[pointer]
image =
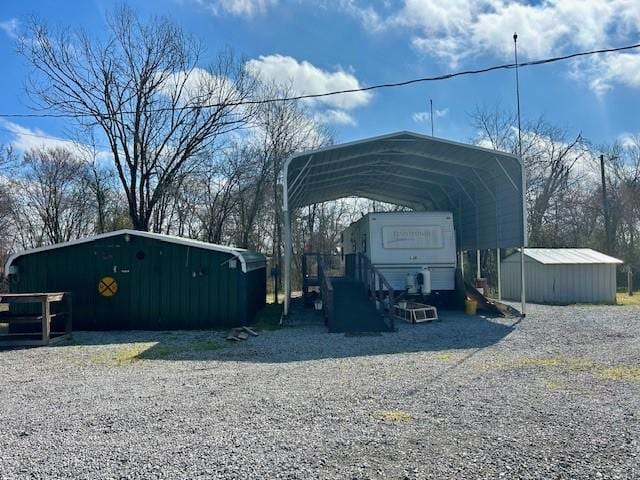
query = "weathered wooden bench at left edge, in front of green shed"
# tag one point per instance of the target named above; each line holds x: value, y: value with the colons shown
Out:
x: 44, y: 335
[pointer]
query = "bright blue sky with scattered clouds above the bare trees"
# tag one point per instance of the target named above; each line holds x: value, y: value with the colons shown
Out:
x: 331, y: 44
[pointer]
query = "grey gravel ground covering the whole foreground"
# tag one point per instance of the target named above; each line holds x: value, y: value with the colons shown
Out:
x: 556, y: 395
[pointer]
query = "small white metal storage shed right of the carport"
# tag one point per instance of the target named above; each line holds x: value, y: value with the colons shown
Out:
x: 561, y: 276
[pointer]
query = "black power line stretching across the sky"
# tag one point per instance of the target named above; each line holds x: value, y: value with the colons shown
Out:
x: 310, y: 96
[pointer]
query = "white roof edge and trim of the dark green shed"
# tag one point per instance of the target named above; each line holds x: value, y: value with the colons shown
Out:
x: 248, y: 260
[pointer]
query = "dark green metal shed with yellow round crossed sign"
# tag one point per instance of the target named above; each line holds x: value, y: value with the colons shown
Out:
x: 139, y: 280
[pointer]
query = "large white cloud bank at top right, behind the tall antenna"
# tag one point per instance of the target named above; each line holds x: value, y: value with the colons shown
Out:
x: 455, y: 30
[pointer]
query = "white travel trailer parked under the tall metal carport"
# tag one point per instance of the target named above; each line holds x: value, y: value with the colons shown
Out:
x: 404, y: 244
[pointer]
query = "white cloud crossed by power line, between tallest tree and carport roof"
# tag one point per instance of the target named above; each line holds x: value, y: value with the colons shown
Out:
x: 306, y: 78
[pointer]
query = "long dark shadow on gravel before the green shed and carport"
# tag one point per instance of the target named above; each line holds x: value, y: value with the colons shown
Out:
x: 304, y: 339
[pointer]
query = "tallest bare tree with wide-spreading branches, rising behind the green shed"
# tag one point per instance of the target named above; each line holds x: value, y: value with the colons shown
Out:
x: 143, y: 90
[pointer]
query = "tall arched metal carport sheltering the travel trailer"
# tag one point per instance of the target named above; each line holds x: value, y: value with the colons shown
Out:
x: 483, y: 188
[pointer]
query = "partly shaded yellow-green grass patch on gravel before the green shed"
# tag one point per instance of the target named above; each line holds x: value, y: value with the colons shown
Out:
x: 134, y: 352
